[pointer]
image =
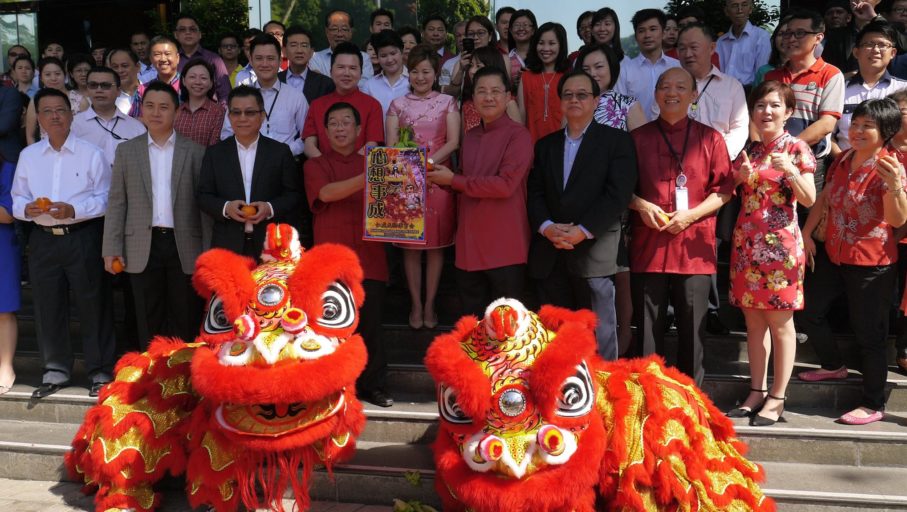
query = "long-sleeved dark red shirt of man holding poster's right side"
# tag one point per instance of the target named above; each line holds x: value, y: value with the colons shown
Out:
x: 492, y: 204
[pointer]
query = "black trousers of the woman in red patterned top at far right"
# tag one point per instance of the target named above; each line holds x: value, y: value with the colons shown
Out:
x: 869, y: 293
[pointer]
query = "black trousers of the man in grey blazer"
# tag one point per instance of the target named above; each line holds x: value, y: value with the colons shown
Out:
x: 165, y: 302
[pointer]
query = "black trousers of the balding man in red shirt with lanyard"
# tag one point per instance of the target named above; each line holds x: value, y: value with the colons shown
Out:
x: 689, y: 293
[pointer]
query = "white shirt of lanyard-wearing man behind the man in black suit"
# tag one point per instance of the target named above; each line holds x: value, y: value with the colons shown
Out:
x: 285, y: 111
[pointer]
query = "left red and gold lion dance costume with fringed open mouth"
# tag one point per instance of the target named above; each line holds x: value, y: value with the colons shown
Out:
x: 265, y: 391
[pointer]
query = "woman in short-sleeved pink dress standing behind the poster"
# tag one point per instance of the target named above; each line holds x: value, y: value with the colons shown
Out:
x: 435, y: 121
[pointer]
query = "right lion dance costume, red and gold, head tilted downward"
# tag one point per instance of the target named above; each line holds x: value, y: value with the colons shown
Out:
x: 533, y: 420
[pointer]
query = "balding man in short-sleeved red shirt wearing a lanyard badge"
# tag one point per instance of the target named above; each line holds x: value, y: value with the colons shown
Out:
x: 684, y: 177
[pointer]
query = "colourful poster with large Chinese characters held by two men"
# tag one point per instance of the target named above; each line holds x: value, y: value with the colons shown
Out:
x: 395, y: 195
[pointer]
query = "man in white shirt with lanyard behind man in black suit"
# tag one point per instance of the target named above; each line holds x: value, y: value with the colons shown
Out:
x: 285, y: 106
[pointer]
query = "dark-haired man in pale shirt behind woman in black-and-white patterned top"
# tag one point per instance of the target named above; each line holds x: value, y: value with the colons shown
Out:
x: 639, y: 74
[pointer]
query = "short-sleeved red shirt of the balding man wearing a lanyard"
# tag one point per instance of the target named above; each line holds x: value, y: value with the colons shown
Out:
x: 708, y: 170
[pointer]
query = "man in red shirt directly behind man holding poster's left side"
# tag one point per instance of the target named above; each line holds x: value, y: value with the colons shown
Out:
x: 346, y: 70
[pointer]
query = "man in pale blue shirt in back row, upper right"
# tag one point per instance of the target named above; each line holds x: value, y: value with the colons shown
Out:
x: 744, y: 48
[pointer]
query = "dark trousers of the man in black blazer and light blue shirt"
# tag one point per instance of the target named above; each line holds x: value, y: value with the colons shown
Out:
x: 594, y: 293
